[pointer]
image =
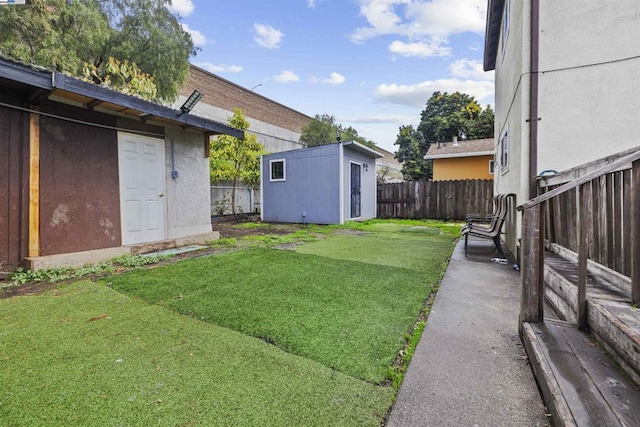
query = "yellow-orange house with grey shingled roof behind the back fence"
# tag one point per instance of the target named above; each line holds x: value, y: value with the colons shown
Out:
x: 455, y: 160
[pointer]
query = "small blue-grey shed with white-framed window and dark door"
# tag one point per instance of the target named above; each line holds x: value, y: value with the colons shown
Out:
x: 327, y: 184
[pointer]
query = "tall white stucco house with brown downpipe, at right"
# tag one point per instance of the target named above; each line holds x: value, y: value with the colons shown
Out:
x: 567, y: 87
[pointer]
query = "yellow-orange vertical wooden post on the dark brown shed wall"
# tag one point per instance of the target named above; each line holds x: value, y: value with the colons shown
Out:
x: 34, y: 184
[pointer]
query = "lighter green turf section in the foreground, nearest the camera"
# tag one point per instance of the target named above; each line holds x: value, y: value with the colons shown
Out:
x: 144, y: 365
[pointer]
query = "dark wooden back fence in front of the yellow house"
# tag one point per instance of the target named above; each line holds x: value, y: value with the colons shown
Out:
x: 448, y: 200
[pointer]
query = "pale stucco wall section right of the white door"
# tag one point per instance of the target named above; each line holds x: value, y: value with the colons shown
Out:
x: 188, y: 195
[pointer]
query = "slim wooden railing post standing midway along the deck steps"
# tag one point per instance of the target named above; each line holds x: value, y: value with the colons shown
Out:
x: 585, y: 237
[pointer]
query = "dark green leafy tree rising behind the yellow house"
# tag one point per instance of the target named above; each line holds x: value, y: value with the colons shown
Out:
x: 445, y: 116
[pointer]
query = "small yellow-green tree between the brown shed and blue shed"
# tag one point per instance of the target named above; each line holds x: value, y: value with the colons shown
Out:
x: 236, y: 159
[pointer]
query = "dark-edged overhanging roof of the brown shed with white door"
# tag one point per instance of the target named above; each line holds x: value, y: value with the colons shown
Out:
x: 39, y: 83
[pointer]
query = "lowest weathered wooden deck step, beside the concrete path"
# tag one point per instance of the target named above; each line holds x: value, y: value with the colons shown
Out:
x: 579, y: 383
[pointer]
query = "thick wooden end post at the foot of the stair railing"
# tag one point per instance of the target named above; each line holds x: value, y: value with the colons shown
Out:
x: 532, y: 300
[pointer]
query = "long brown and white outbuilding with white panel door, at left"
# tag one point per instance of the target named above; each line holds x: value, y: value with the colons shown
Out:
x: 87, y: 173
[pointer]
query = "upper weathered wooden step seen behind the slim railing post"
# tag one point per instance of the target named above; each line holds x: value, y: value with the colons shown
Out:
x: 611, y: 319
